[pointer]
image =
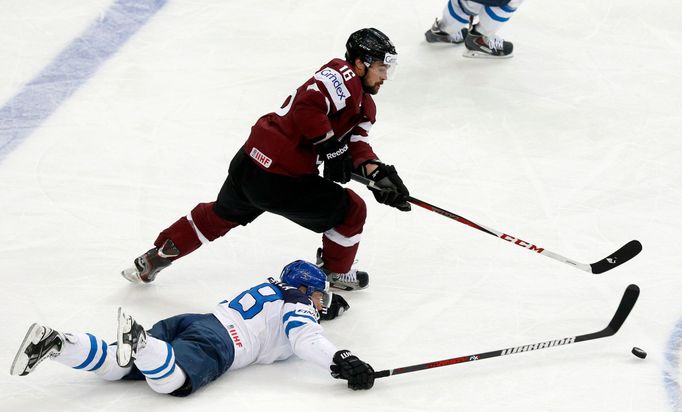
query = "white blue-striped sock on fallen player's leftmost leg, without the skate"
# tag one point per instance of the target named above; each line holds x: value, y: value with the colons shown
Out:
x: 86, y: 352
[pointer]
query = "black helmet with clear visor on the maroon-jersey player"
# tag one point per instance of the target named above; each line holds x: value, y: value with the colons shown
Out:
x: 370, y: 45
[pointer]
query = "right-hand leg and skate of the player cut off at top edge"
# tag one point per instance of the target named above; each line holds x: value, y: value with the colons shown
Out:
x: 482, y: 40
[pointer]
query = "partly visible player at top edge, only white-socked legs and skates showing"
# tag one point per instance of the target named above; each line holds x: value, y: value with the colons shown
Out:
x: 481, y: 39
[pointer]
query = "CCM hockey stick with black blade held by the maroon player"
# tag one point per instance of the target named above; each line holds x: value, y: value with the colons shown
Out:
x: 617, y: 258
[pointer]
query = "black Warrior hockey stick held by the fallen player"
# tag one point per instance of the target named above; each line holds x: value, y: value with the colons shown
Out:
x: 624, y: 308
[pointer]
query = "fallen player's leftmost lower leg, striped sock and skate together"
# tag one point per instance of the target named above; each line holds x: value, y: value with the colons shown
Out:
x: 81, y: 351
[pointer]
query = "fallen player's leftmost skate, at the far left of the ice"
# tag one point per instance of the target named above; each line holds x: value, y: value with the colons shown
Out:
x: 40, y: 343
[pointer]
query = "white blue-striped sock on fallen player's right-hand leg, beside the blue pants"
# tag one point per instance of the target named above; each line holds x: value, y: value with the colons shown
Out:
x: 156, y: 361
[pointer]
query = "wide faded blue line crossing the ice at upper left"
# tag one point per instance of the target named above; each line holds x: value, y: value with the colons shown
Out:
x: 79, y: 61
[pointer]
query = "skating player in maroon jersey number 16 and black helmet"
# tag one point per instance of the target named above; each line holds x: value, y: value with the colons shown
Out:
x: 325, y: 120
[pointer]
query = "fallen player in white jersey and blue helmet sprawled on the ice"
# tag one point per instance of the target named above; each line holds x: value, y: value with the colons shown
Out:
x: 269, y: 322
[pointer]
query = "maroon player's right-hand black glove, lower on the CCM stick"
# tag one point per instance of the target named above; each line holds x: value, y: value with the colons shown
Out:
x: 391, y: 189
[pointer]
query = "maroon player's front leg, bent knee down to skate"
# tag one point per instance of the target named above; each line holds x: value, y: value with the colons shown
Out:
x: 340, y: 245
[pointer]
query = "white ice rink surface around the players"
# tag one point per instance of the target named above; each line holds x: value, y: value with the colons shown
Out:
x: 119, y: 116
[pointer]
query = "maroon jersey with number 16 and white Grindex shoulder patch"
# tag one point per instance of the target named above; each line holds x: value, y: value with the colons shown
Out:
x: 331, y: 100
